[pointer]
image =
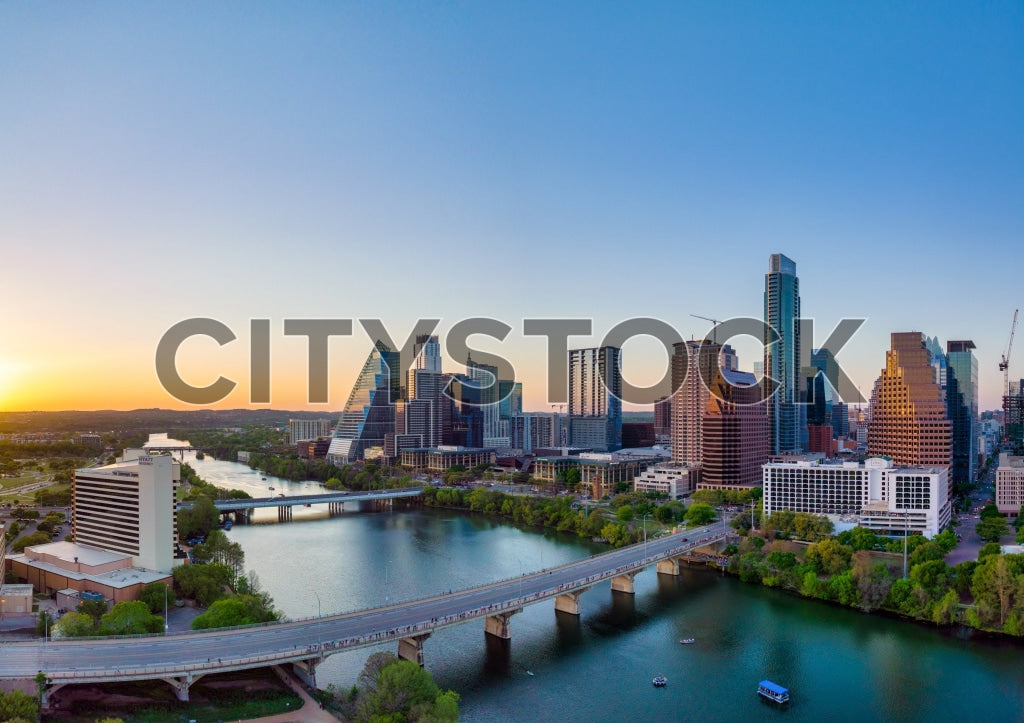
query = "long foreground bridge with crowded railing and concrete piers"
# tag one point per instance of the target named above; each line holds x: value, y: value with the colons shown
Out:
x: 183, y: 659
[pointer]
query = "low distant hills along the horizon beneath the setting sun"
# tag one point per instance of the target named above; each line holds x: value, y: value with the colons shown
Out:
x: 150, y: 420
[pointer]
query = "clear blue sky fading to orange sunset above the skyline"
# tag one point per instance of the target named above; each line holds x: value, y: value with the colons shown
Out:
x: 161, y: 162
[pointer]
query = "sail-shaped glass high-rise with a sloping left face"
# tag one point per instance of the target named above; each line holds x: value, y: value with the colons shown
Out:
x: 370, y: 413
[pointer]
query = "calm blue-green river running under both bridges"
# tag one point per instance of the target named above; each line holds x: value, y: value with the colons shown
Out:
x: 839, y: 664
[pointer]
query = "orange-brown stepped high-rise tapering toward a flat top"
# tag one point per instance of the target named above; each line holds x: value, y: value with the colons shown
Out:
x: 909, y: 422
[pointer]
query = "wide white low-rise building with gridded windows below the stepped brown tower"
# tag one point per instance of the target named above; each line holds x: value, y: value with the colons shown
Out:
x: 881, y: 497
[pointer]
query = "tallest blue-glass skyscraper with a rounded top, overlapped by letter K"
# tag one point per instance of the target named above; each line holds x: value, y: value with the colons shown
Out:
x: 783, y: 357
